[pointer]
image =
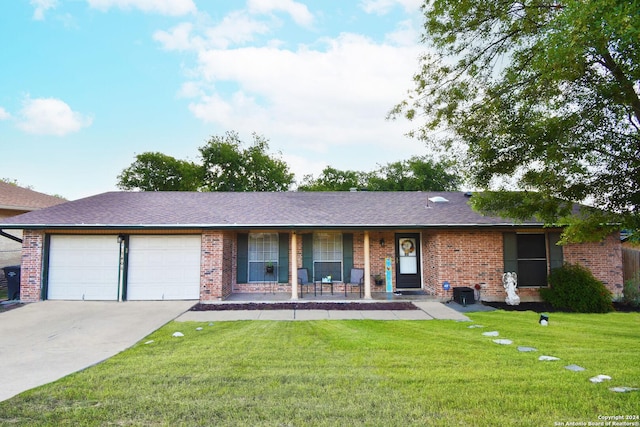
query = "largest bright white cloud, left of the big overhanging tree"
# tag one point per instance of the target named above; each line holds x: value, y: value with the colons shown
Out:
x: 319, y: 99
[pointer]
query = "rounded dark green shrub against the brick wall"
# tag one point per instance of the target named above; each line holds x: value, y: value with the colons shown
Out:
x: 574, y: 288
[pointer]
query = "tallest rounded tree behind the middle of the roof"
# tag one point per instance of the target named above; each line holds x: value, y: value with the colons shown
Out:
x: 229, y: 167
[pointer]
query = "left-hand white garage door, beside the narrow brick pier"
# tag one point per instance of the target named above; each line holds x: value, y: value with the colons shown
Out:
x: 83, y: 268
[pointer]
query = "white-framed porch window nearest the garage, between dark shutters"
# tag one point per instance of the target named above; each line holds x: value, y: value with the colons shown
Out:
x: 263, y: 257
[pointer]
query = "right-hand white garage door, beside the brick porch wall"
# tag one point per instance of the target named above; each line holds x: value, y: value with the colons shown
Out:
x: 163, y: 268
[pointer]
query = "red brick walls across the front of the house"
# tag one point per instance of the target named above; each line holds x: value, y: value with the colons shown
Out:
x: 464, y: 258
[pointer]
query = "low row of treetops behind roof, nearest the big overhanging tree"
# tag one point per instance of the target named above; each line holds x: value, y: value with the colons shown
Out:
x: 415, y: 174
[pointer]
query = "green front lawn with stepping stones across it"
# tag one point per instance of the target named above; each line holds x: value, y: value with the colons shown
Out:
x: 344, y: 373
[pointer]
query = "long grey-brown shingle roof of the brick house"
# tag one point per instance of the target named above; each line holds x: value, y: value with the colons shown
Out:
x: 261, y: 210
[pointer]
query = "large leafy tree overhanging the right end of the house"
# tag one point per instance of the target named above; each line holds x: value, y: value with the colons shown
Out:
x: 543, y: 94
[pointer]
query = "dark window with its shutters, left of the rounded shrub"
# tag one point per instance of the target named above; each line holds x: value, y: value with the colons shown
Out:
x: 531, y: 255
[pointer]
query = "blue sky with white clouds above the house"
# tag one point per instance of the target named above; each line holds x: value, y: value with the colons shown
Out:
x: 86, y: 85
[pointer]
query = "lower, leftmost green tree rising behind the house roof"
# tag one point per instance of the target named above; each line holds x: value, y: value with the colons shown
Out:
x: 153, y: 171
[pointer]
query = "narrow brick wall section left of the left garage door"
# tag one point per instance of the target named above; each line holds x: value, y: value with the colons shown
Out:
x: 31, y: 265
